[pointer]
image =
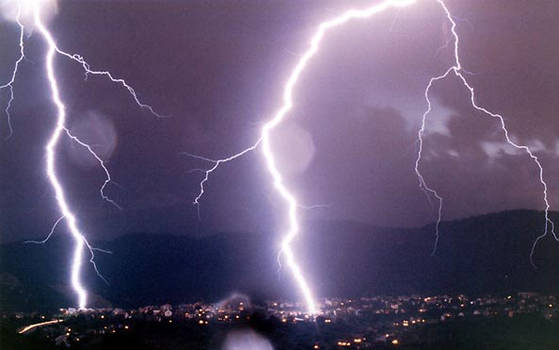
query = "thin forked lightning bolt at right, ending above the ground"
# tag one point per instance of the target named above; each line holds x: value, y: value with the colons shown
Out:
x: 457, y: 70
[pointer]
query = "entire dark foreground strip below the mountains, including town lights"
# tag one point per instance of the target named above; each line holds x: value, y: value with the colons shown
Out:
x: 523, y: 321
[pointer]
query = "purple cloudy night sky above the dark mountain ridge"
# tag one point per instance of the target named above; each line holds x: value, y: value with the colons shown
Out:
x: 217, y: 70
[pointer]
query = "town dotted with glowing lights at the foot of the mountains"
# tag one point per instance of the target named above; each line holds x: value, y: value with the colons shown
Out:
x: 362, y: 323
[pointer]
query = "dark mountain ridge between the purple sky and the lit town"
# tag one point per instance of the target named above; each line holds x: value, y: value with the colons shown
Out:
x: 478, y: 255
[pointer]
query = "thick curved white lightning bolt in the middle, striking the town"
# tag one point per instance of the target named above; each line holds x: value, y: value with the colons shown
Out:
x: 279, y: 116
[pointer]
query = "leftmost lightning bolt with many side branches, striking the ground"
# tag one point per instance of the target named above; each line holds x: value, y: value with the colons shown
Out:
x: 60, y: 130
